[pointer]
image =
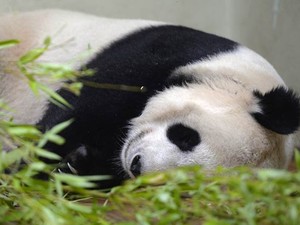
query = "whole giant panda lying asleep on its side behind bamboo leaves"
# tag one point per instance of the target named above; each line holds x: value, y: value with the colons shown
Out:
x: 204, y: 99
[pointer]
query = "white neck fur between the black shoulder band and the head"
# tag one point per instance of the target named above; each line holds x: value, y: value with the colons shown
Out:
x: 242, y: 65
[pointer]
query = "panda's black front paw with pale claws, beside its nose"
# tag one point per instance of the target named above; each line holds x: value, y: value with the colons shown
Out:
x: 97, y: 155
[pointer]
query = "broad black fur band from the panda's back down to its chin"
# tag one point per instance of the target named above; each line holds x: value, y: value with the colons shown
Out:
x: 144, y: 58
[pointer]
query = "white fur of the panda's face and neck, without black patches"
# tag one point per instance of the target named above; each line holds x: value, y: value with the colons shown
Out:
x: 219, y: 110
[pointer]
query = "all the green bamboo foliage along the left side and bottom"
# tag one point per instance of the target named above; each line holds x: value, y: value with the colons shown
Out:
x: 181, y: 196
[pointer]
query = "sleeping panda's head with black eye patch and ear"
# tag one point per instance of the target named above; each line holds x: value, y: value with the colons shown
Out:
x: 210, y: 124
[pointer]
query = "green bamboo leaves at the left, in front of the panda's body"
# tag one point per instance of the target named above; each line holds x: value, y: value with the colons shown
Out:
x: 24, y: 199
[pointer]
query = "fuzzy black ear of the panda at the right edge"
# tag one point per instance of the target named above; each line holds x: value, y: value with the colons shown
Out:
x: 280, y: 110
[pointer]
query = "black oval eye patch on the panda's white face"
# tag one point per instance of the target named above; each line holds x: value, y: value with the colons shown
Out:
x: 185, y: 138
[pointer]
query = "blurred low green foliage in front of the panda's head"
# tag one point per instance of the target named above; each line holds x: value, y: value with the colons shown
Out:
x: 228, y: 196
